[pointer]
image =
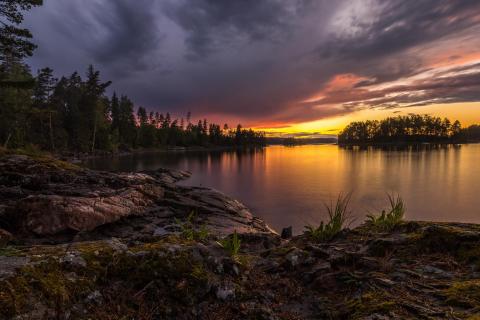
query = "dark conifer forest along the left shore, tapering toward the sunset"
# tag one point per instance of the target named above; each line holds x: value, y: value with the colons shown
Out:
x: 75, y: 114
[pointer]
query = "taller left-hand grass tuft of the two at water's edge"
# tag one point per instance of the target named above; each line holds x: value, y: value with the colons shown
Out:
x: 337, y: 215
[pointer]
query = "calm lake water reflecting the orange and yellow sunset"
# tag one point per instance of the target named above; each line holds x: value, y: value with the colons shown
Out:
x: 289, y: 185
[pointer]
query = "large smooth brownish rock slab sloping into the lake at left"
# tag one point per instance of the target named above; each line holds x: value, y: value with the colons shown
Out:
x: 62, y: 200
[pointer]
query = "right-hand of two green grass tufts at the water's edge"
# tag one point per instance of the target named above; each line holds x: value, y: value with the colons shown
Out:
x: 388, y: 221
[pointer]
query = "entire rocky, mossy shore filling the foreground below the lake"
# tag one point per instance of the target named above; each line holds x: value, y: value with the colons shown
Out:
x: 82, y: 244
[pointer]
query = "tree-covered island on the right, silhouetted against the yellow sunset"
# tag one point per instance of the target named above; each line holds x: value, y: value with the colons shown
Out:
x: 413, y: 128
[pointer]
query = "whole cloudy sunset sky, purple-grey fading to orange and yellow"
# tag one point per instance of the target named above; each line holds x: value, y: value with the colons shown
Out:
x: 289, y: 67
